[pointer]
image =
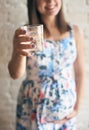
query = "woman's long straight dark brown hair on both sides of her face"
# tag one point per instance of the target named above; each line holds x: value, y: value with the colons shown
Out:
x: 34, y: 17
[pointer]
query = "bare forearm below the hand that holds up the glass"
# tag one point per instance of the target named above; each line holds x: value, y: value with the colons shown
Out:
x: 17, y: 66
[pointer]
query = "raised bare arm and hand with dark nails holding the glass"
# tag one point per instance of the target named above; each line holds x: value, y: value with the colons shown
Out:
x: 17, y: 64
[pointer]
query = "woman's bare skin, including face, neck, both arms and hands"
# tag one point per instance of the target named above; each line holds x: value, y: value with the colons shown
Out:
x: 17, y: 65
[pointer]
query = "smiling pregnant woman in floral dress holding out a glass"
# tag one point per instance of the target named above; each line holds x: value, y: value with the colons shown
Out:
x: 51, y: 94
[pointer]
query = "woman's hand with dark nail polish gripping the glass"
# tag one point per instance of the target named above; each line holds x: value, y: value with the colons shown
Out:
x: 23, y: 43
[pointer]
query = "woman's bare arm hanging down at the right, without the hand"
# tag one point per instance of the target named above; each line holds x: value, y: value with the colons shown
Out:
x: 79, y: 67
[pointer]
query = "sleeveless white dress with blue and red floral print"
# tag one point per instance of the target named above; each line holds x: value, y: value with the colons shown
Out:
x: 49, y: 91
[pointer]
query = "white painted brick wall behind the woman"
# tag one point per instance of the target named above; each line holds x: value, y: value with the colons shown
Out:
x: 13, y: 14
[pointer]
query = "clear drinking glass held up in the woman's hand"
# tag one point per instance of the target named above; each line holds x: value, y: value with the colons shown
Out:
x: 36, y: 32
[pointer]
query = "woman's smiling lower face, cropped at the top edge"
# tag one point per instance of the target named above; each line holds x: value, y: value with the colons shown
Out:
x: 48, y: 7
